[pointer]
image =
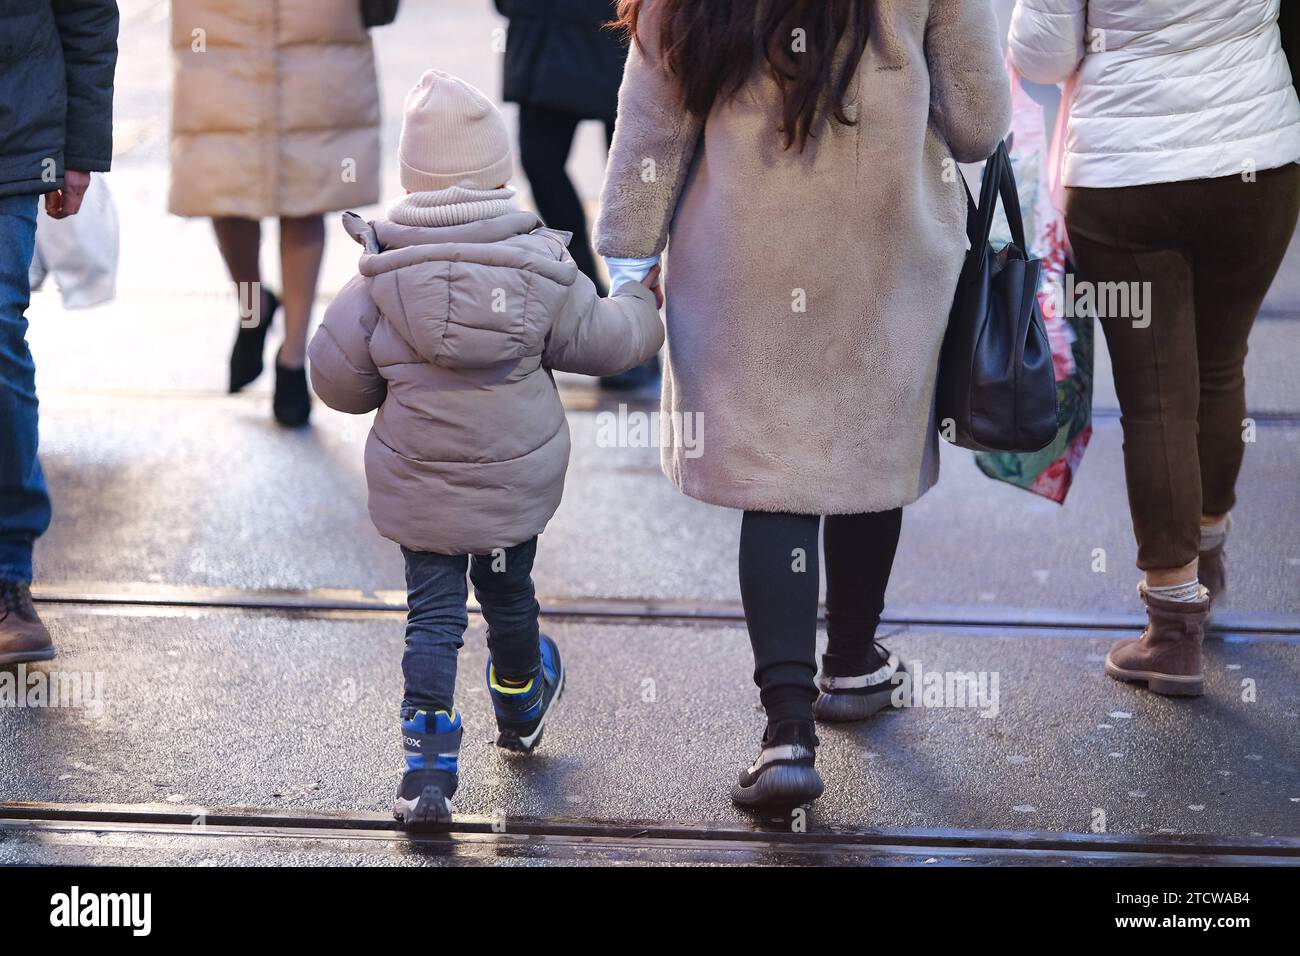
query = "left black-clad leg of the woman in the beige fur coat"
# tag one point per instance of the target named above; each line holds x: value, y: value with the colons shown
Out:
x: 779, y: 589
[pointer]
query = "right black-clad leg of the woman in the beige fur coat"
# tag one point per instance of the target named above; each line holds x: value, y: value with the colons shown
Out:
x: 860, y: 552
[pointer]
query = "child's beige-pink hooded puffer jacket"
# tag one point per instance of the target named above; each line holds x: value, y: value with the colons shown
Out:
x: 450, y: 332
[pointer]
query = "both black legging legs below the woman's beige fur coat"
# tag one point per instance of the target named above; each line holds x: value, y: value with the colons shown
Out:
x: 779, y: 586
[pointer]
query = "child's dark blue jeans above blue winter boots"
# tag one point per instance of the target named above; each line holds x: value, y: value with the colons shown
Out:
x: 437, y: 620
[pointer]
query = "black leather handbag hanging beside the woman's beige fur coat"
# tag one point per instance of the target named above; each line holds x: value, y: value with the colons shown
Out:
x: 996, y: 388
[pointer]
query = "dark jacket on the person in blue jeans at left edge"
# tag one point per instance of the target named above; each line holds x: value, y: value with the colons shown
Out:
x: 57, y: 92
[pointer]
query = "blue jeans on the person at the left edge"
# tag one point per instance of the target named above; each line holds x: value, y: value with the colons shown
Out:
x: 24, y: 499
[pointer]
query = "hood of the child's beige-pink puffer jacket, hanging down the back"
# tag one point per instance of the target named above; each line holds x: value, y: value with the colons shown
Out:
x: 467, y: 296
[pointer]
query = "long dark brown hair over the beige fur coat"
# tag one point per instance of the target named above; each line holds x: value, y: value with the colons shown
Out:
x: 712, y: 49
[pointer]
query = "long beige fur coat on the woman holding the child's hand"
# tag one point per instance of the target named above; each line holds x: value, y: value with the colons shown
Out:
x: 808, y: 295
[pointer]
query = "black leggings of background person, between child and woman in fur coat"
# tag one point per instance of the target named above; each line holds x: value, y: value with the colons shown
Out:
x: 545, y: 141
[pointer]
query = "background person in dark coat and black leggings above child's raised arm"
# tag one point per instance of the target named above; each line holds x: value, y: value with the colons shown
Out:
x: 565, y: 66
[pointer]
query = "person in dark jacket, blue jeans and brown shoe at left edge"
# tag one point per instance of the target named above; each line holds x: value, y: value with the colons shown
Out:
x: 57, y: 128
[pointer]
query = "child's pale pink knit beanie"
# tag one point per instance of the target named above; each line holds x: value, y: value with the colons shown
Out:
x: 453, y: 136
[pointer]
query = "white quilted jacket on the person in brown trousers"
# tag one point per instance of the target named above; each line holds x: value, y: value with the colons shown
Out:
x: 1168, y: 90
